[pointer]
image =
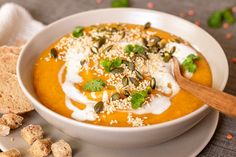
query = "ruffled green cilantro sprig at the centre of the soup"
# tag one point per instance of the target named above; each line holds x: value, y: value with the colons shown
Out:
x: 108, y: 65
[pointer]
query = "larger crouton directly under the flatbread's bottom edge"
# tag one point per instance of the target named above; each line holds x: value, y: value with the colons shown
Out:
x: 12, y: 120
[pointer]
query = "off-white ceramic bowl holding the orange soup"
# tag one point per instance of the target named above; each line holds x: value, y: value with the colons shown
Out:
x: 114, y: 136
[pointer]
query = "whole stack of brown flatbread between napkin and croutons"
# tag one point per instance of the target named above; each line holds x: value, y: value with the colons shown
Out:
x: 12, y: 100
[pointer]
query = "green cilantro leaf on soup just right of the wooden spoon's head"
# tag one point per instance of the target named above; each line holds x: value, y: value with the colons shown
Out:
x: 189, y: 63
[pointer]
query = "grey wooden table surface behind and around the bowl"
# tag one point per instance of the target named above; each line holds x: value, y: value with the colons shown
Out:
x: 48, y: 11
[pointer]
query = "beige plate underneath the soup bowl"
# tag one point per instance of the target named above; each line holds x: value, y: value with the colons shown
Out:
x: 188, y: 144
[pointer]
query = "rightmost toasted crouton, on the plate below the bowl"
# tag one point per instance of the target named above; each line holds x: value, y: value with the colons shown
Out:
x: 61, y: 149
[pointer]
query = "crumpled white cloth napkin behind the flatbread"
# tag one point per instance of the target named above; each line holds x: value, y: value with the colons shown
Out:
x: 16, y: 25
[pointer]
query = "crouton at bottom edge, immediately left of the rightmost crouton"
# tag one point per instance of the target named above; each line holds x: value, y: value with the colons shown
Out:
x: 40, y: 148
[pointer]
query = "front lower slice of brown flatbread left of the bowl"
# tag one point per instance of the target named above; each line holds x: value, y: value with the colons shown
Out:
x: 12, y: 100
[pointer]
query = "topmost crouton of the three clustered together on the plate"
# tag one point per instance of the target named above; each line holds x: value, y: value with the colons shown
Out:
x: 32, y: 133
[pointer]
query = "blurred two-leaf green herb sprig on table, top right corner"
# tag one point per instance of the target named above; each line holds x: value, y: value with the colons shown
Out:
x: 218, y: 17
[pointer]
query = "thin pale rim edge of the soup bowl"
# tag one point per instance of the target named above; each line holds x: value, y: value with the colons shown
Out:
x: 71, y: 121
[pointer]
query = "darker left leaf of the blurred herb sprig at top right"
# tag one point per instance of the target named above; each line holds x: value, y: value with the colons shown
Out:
x: 216, y: 19
